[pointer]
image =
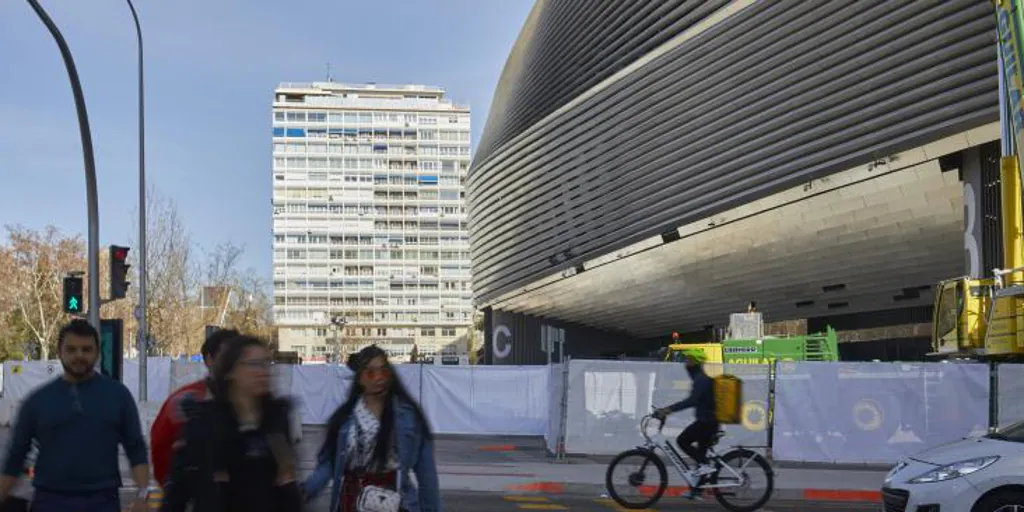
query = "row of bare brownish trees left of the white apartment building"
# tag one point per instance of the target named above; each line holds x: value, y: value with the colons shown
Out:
x: 32, y: 266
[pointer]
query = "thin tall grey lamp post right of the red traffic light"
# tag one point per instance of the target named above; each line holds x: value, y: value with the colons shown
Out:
x: 142, y: 338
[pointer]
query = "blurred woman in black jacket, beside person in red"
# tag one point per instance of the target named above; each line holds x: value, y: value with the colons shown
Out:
x: 237, y: 456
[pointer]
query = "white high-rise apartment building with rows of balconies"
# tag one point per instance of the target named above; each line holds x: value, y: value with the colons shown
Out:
x: 370, y: 220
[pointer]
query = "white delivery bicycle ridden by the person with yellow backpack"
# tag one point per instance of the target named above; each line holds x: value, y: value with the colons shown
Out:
x: 721, y: 483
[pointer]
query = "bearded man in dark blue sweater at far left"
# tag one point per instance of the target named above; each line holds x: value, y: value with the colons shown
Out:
x: 78, y: 421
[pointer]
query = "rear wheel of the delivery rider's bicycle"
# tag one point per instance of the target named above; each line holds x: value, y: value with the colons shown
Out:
x: 746, y: 496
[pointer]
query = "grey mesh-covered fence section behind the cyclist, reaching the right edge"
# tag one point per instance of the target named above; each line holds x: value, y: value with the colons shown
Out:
x: 808, y: 412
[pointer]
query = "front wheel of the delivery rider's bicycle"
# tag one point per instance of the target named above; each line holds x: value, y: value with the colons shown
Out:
x: 637, y: 463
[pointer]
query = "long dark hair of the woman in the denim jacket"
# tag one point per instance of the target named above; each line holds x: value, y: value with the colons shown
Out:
x: 345, y: 412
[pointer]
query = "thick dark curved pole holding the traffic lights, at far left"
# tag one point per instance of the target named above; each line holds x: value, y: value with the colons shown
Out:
x: 91, y: 163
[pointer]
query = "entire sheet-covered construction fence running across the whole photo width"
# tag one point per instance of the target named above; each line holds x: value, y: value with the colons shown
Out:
x: 812, y: 412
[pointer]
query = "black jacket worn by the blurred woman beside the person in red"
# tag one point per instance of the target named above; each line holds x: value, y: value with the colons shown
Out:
x: 217, y: 450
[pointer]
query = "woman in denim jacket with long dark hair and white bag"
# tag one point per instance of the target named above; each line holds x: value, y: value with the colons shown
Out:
x: 375, y: 439
